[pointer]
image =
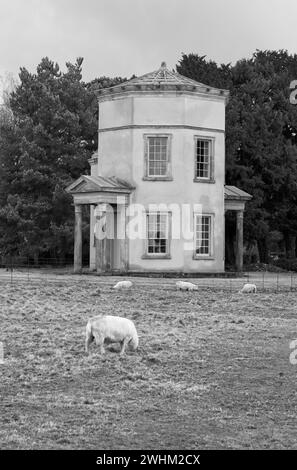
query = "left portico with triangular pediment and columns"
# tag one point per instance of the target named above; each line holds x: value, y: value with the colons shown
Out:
x: 108, y: 199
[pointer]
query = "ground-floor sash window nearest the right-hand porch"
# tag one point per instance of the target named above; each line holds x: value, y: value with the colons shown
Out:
x: 203, y: 235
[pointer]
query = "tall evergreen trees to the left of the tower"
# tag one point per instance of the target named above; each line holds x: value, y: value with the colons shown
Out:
x: 43, y: 147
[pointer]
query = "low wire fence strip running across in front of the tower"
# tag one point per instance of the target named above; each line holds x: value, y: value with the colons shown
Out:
x: 51, y: 269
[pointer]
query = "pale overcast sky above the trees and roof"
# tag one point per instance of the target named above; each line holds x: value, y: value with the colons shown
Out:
x: 122, y: 37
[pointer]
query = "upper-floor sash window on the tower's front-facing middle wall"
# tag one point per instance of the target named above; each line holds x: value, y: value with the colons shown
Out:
x: 157, y: 157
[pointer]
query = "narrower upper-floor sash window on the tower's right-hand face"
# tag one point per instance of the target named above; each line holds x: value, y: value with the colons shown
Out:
x: 204, y: 158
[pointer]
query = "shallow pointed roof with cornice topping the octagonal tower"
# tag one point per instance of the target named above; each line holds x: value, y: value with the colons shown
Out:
x: 162, y: 80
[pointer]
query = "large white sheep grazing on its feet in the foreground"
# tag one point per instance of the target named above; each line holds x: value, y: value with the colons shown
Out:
x: 111, y: 329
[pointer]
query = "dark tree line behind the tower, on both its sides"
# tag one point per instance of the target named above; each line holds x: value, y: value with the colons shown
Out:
x: 48, y: 131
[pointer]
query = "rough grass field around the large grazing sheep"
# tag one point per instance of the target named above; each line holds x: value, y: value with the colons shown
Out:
x: 212, y: 369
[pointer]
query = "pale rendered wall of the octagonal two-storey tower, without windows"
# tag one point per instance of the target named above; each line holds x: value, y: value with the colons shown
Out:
x: 122, y: 125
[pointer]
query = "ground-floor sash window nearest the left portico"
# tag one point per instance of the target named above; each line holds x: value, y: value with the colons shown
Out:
x: 157, y: 234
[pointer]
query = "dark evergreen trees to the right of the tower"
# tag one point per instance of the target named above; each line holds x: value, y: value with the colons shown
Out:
x: 261, y: 138
